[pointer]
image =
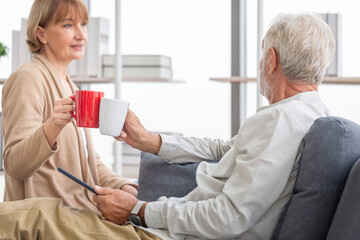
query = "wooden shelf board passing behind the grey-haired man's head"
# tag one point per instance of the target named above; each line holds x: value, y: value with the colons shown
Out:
x: 327, y: 80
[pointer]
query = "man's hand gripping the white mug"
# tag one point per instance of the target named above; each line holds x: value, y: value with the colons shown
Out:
x: 135, y: 135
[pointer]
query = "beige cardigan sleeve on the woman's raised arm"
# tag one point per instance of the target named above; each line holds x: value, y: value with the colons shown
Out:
x: 27, y: 146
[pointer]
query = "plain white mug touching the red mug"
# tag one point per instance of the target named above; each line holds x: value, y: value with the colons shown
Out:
x: 112, y: 116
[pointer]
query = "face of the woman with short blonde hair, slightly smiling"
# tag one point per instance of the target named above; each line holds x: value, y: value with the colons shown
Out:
x: 65, y: 40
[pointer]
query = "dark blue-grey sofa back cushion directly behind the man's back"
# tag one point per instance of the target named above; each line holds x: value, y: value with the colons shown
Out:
x: 330, y: 150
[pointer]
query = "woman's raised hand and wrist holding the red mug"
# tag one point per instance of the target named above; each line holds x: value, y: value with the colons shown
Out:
x: 58, y: 119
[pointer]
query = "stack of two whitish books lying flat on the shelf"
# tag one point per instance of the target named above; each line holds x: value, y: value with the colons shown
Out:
x: 139, y: 67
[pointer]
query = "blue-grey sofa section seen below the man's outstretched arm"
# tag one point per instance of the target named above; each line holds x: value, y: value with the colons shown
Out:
x: 159, y: 178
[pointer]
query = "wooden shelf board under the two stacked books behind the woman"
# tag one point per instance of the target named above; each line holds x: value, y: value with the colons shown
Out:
x: 89, y: 80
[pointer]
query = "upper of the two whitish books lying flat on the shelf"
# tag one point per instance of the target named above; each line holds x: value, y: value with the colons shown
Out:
x: 139, y: 60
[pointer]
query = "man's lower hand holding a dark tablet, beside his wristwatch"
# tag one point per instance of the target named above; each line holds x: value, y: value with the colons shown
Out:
x: 115, y: 205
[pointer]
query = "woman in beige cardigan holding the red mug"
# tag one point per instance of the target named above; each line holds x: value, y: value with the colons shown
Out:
x: 40, y: 133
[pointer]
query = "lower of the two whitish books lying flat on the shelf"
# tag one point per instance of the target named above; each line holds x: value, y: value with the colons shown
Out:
x: 140, y: 72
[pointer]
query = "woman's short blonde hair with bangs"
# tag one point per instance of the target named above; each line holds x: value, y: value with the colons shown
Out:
x: 44, y: 11
